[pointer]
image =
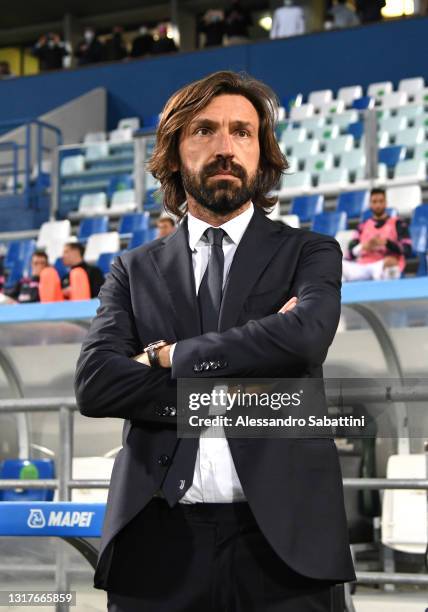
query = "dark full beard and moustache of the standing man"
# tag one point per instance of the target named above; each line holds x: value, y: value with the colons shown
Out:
x: 220, y: 196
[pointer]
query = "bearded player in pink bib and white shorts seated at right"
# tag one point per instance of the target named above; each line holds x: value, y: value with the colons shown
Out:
x: 381, y: 245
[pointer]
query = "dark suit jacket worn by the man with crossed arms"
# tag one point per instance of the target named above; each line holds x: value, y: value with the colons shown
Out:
x: 293, y: 486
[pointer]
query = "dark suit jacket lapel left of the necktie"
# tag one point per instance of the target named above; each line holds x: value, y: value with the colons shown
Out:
x: 173, y: 259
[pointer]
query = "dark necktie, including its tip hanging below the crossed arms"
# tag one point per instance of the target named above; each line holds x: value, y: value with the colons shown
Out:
x: 180, y: 475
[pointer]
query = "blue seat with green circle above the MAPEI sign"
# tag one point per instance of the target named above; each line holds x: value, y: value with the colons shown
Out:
x: 27, y: 469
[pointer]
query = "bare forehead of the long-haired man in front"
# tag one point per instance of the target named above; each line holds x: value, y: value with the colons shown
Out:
x: 233, y: 107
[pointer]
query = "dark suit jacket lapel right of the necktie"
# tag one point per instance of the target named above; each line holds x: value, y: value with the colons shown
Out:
x: 258, y: 245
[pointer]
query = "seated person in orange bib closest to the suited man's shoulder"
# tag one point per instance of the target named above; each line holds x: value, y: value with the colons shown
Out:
x: 84, y: 280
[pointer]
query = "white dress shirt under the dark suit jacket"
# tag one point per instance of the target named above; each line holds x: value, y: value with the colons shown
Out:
x: 215, y: 479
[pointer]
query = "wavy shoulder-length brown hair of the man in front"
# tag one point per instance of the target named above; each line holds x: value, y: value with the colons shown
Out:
x: 181, y: 109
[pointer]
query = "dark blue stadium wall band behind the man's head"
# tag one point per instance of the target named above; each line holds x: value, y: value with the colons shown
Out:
x: 301, y: 64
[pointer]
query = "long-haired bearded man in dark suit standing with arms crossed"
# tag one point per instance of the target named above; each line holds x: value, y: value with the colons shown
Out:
x: 219, y: 524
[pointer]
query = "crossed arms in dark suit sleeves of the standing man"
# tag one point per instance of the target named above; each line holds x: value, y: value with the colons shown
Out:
x: 109, y: 382
